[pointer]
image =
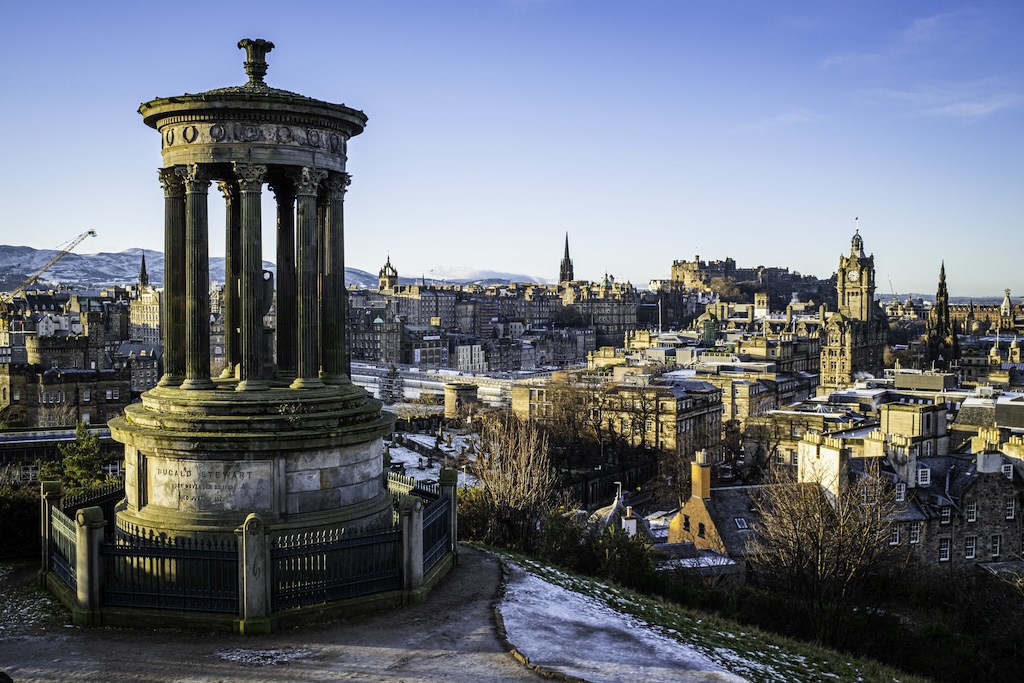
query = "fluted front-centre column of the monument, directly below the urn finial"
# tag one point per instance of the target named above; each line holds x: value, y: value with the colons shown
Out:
x: 251, y: 340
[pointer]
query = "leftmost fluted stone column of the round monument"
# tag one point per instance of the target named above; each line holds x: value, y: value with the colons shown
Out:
x: 175, y: 279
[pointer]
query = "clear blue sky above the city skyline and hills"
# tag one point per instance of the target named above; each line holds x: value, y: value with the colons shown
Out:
x: 648, y: 131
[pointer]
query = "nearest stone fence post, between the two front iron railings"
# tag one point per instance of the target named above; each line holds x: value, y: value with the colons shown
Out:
x: 254, y: 580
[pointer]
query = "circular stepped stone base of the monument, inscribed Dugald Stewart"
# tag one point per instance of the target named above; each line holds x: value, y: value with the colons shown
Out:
x: 199, y: 462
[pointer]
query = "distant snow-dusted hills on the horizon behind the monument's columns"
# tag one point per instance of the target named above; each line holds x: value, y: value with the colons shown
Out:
x: 98, y: 271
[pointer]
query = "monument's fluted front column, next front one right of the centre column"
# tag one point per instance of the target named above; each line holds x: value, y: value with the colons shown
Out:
x: 307, y: 183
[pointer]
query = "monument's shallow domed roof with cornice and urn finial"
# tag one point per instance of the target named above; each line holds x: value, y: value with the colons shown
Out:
x: 253, y: 95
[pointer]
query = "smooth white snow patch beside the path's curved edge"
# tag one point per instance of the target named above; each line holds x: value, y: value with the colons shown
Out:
x: 574, y: 634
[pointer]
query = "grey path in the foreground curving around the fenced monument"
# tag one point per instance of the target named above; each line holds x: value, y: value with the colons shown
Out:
x: 451, y: 638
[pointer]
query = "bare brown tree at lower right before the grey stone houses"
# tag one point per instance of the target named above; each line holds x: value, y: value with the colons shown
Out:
x: 827, y: 550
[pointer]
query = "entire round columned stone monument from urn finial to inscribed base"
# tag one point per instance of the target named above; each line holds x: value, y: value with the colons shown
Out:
x: 284, y: 435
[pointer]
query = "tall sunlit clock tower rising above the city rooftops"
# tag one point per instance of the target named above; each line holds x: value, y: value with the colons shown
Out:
x: 855, y: 338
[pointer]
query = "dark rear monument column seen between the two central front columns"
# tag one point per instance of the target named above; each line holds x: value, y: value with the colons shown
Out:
x: 287, y: 314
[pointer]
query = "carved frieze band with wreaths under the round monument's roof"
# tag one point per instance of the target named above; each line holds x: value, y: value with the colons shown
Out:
x: 273, y: 134
